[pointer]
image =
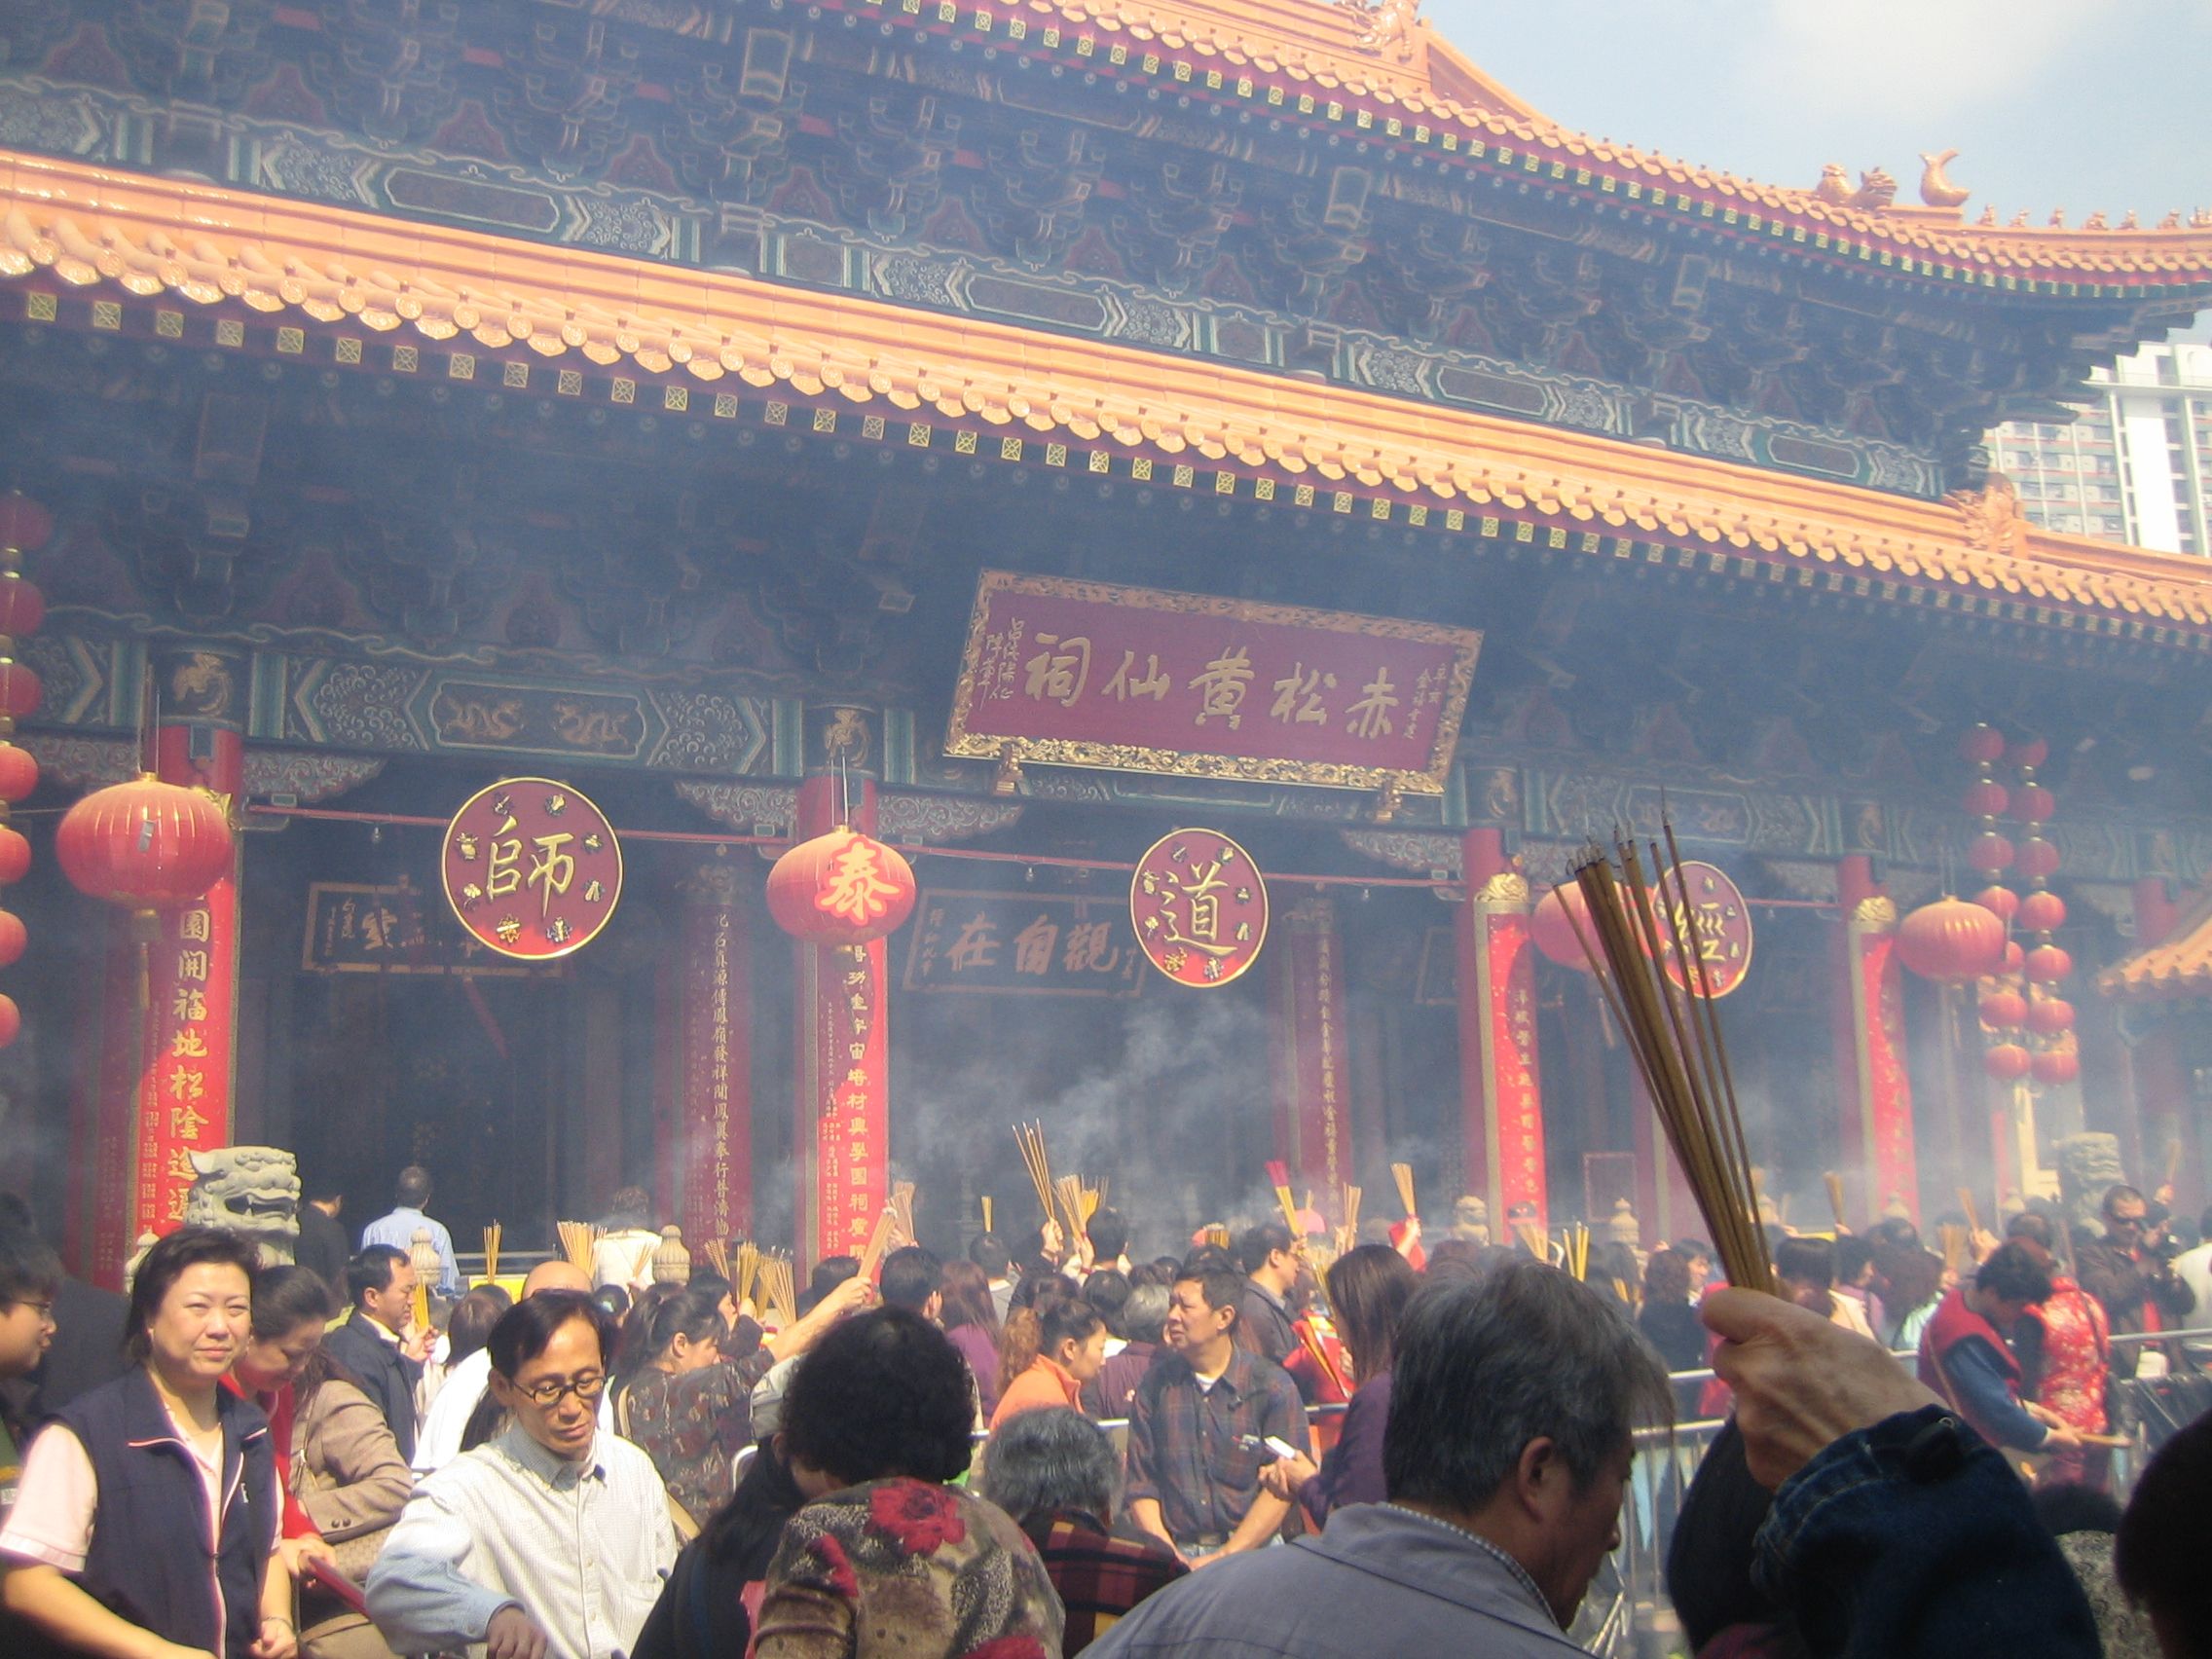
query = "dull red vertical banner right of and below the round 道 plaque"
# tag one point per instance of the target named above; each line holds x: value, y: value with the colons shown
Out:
x: 1313, y: 1076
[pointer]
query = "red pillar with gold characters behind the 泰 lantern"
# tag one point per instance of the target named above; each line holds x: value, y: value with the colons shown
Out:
x: 842, y: 1136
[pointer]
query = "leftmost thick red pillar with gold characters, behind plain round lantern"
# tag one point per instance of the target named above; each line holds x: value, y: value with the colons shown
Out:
x: 169, y: 1008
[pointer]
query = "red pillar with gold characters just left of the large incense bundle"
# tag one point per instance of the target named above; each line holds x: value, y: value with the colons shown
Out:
x: 1501, y: 1092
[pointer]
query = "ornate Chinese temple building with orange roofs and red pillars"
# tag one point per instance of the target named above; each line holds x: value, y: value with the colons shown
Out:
x: 1025, y: 430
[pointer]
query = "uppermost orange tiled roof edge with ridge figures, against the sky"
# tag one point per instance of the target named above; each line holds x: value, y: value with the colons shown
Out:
x: 1355, y: 67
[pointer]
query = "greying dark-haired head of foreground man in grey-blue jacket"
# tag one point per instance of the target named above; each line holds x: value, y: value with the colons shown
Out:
x: 1538, y: 1463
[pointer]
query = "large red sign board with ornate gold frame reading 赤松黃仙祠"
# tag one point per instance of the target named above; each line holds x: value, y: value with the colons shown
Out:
x: 1081, y: 674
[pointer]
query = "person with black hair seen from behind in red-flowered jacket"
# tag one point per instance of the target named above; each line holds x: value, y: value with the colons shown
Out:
x: 890, y: 1563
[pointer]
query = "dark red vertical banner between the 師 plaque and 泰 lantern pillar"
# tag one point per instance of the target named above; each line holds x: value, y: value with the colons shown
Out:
x: 716, y: 1116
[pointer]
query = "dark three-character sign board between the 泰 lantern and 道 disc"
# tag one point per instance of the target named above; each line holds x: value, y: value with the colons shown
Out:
x: 1023, y: 946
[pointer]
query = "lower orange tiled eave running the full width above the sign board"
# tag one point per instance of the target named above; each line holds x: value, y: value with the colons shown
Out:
x: 362, y: 275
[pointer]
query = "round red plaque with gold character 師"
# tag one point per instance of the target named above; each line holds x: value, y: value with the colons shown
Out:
x: 532, y: 868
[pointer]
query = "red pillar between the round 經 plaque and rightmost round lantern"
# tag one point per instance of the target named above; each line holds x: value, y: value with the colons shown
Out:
x: 1875, y: 1089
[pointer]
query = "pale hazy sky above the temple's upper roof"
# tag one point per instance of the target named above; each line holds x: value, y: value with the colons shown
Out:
x: 2052, y: 103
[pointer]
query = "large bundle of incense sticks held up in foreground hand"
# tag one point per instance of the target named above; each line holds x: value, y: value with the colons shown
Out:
x: 1676, y: 1039
